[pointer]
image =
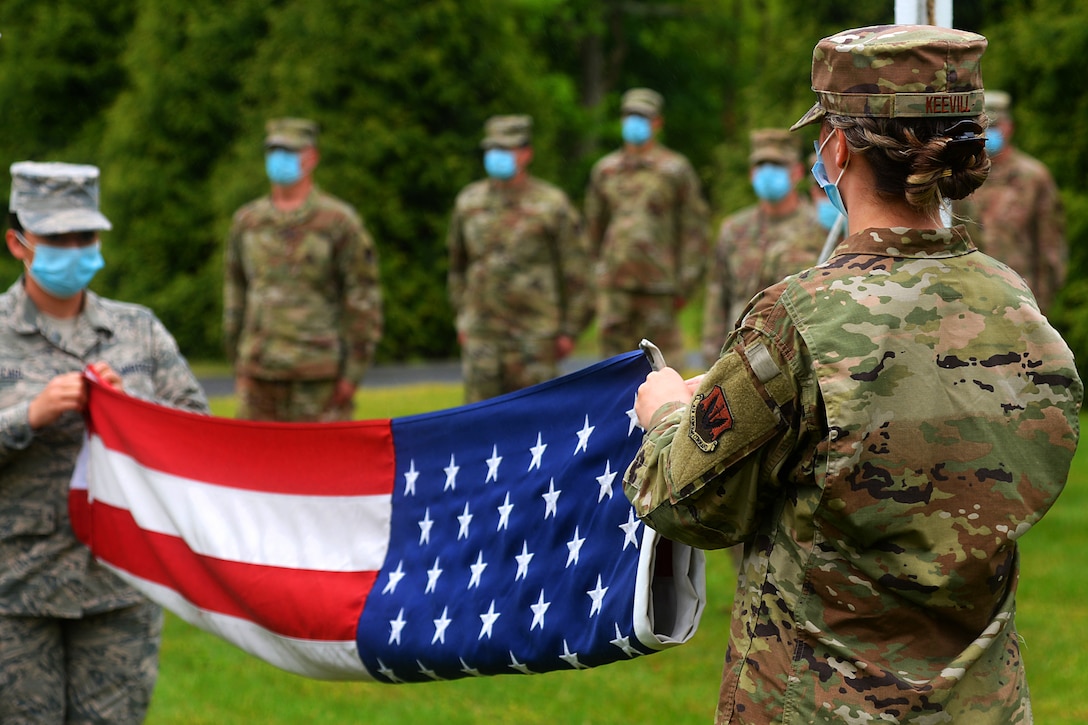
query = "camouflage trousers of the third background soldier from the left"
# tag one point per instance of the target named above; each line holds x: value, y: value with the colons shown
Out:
x: 625, y: 318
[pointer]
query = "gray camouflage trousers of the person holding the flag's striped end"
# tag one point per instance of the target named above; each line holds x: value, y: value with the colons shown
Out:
x: 100, y: 669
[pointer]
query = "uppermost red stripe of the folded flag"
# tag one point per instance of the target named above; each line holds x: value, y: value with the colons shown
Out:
x: 348, y: 459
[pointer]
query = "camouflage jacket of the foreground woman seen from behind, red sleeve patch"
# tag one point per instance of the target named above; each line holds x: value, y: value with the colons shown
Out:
x: 881, y: 432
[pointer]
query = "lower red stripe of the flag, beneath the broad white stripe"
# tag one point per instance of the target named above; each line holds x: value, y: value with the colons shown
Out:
x: 299, y: 604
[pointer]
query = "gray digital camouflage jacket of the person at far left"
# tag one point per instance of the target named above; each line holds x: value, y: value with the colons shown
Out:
x: 46, y: 571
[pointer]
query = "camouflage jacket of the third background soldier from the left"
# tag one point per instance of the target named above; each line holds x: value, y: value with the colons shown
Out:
x: 648, y: 223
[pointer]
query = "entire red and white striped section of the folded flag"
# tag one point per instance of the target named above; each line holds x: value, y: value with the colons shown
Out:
x: 270, y: 537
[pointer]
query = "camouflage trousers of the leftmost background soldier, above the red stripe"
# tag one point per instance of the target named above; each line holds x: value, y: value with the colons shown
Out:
x: 300, y: 401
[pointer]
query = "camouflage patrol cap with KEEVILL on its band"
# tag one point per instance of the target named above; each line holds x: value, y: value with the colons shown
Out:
x: 898, y: 71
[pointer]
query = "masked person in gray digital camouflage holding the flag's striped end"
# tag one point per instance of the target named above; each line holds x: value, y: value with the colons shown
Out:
x: 77, y: 644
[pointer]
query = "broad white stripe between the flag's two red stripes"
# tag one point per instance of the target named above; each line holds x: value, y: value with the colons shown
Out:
x: 329, y: 534
